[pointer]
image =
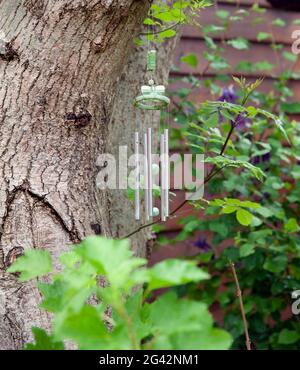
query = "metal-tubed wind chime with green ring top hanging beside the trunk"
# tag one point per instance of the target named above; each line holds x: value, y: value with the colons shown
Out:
x: 152, y: 98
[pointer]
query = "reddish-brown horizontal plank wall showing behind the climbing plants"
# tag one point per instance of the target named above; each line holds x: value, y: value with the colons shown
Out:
x: 192, y: 42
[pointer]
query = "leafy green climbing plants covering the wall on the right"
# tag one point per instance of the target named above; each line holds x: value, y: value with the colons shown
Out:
x: 260, y: 165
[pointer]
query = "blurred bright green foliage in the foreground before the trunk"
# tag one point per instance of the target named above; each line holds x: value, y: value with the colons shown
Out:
x: 98, y: 301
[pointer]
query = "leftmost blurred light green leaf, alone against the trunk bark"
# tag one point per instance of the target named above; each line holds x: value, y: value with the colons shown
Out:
x: 34, y: 263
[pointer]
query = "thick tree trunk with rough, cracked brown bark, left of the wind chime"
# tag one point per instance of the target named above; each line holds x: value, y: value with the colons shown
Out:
x: 59, y: 65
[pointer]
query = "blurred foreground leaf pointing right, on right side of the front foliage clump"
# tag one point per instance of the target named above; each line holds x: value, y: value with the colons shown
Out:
x: 174, y: 272
